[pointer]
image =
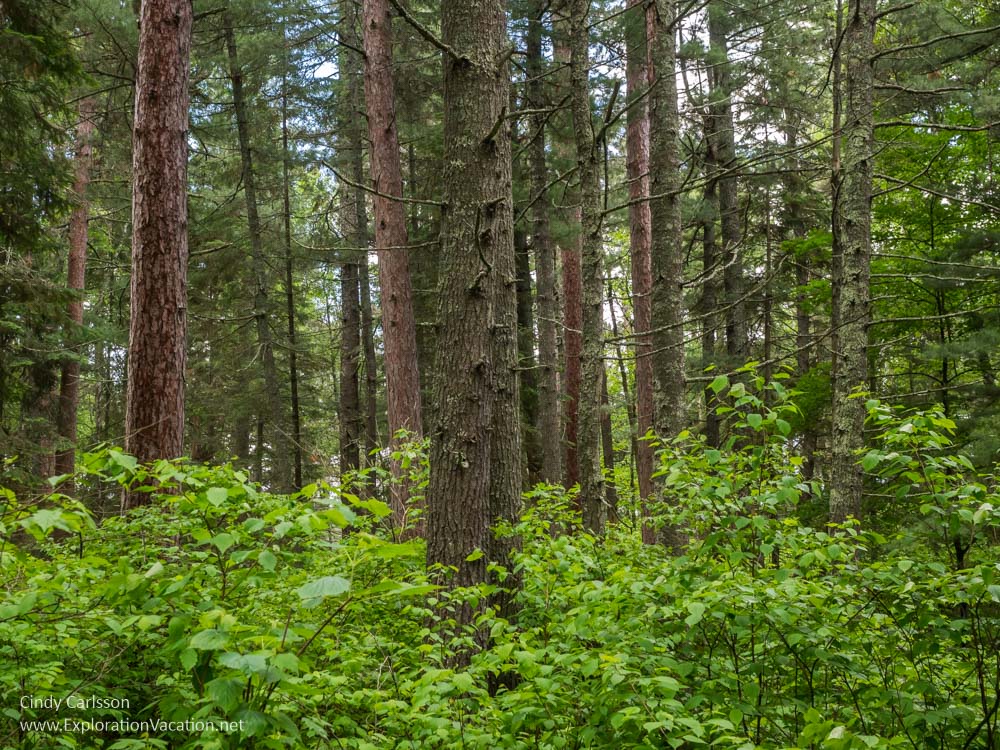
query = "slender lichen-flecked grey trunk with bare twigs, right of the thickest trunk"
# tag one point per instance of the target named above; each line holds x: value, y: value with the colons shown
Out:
x: 592, y: 262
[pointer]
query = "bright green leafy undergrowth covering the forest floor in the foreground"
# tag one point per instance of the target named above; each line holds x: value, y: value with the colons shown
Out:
x: 298, y: 617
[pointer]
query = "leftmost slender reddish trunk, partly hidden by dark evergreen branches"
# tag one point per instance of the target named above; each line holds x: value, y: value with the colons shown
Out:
x: 69, y: 384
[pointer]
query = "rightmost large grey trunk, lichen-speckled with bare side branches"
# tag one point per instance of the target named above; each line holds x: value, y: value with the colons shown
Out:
x: 853, y: 304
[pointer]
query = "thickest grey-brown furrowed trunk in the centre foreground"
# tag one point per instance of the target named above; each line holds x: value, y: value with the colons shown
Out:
x: 476, y: 445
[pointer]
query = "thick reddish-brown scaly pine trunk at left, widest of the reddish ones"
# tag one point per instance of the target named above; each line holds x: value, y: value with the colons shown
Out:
x: 154, y: 421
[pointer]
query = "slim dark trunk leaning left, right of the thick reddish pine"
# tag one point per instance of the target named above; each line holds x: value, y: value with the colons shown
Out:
x: 270, y: 417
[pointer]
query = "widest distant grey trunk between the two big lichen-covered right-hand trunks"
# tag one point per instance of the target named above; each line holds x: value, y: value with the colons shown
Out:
x: 721, y: 109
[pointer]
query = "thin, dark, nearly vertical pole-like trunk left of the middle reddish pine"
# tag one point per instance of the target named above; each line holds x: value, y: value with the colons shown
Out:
x: 293, y: 365
